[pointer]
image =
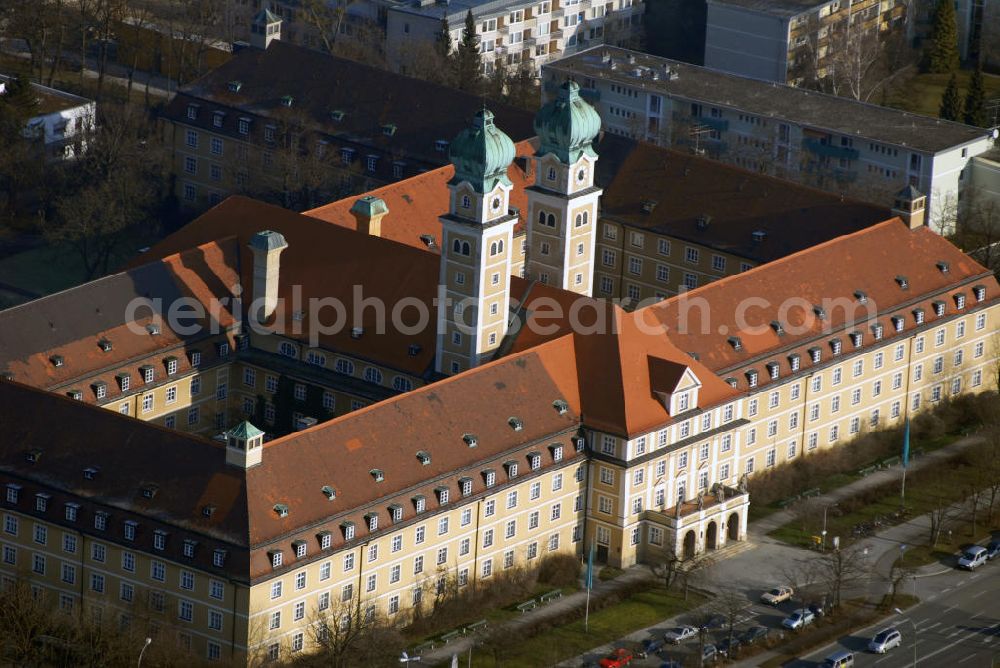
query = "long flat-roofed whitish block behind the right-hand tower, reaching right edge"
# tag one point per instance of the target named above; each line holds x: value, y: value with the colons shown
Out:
x: 829, y: 142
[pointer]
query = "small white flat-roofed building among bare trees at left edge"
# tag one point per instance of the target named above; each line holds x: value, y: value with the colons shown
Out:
x: 62, y: 122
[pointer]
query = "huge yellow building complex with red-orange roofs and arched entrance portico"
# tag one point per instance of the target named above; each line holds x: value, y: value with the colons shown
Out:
x: 585, y: 424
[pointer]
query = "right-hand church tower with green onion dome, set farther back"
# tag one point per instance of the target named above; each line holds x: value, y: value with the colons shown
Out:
x: 563, y: 202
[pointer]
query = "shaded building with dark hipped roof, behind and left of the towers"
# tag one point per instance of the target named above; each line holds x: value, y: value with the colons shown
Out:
x: 299, y: 127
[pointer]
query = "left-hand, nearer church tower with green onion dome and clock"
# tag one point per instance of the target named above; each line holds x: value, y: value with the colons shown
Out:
x: 476, y: 237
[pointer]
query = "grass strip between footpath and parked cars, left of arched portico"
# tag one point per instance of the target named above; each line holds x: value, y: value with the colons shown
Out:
x: 559, y: 643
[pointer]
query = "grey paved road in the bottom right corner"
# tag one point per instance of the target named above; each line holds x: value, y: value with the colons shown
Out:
x: 957, y: 625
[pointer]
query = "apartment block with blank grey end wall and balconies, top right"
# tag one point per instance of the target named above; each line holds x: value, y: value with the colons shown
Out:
x: 791, y: 41
